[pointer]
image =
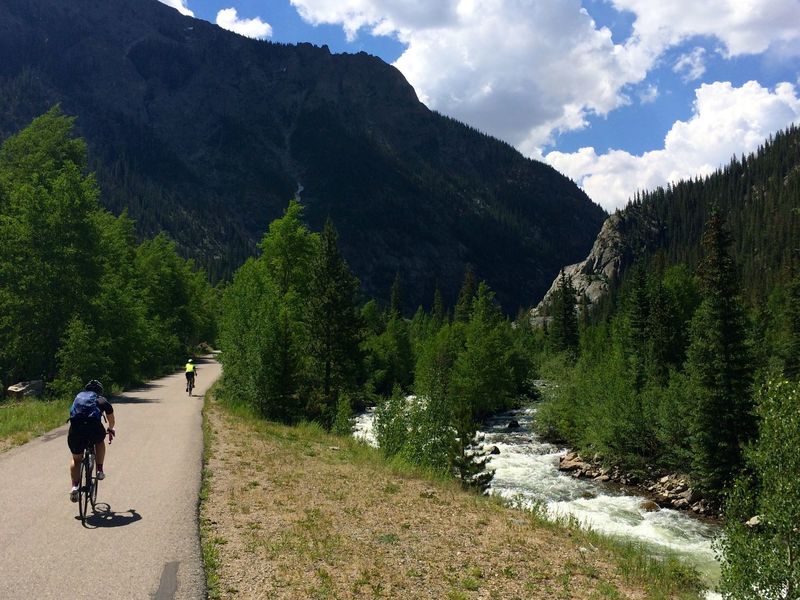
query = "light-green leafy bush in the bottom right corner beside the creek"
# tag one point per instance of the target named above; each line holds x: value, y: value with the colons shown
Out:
x: 762, y: 560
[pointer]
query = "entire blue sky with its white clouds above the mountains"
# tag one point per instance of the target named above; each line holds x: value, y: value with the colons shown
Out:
x: 619, y: 95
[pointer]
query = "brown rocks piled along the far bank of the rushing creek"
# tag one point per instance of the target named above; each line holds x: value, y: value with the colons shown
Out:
x: 666, y: 491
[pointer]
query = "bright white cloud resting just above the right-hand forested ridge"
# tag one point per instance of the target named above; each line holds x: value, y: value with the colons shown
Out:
x: 726, y: 121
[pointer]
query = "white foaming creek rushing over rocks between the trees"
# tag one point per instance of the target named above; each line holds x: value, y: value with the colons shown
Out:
x: 527, y: 475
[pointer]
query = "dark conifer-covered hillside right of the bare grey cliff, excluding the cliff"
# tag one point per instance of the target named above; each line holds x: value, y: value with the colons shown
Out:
x: 759, y: 196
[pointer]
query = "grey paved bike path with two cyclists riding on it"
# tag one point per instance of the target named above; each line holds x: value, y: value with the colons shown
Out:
x: 146, y: 545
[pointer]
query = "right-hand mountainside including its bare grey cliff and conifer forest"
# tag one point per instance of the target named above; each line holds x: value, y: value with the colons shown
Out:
x: 759, y: 196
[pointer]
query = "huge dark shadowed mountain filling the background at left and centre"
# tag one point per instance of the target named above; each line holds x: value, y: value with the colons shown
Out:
x: 207, y: 134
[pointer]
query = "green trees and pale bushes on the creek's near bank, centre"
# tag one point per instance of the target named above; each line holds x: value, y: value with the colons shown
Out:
x: 464, y: 372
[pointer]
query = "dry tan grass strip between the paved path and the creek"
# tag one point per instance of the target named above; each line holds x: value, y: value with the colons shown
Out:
x: 296, y: 513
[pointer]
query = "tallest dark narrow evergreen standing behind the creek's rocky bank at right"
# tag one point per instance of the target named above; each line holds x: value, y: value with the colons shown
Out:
x: 719, y: 365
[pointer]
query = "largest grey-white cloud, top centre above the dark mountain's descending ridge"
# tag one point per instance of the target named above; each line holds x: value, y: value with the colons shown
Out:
x: 517, y: 69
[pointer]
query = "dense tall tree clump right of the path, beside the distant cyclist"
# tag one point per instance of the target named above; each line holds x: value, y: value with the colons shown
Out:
x: 290, y: 328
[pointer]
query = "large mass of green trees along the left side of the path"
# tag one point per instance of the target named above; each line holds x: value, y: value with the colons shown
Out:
x: 79, y: 297
